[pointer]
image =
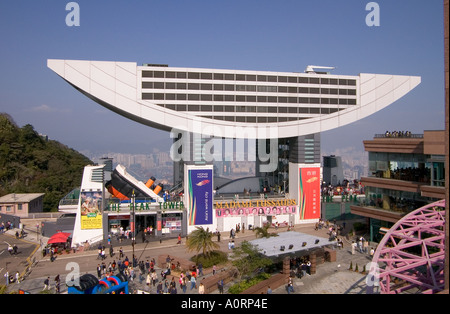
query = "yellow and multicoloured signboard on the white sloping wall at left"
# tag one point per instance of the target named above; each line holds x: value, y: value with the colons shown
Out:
x: 91, y: 213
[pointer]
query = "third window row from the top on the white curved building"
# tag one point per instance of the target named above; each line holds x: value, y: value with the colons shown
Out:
x: 249, y: 99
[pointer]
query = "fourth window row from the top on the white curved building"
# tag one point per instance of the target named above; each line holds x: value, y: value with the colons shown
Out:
x: 251, y: 109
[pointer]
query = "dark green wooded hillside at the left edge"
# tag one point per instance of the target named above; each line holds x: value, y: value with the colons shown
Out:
x: 30, y: 163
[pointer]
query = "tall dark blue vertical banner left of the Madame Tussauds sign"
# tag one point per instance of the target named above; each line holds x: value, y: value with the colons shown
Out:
x: 200, y: 196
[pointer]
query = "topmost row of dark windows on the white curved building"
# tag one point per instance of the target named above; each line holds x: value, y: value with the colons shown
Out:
x: 248, y: 77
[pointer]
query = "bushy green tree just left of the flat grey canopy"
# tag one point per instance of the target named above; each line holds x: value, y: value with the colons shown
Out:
x: 248, y: 259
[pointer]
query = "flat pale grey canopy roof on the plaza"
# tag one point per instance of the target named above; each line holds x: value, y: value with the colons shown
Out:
x: 290, y: 243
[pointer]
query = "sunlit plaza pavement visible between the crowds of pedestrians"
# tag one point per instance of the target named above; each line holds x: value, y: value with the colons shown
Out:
x: 330, y: 277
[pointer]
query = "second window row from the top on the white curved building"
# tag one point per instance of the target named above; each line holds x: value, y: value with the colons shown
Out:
x: 249, y: 88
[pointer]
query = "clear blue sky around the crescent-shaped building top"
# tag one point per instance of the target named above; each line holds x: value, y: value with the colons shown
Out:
x: 283, y: 35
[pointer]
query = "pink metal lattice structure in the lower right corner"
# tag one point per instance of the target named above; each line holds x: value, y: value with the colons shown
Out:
x: 411, y: 254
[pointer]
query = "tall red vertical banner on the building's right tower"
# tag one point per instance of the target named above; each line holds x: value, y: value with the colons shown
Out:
x: 309, y: 193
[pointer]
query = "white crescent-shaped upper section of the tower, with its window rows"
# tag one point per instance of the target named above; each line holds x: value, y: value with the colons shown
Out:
x: 233, y: 103
